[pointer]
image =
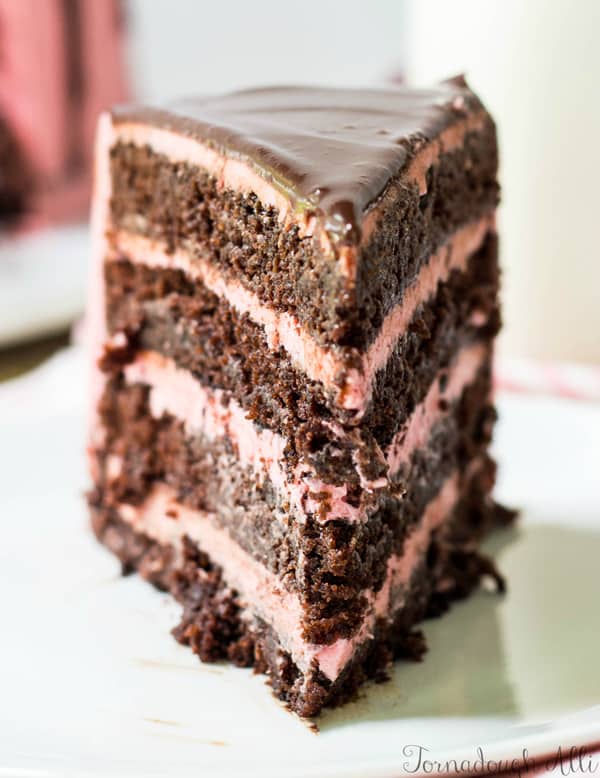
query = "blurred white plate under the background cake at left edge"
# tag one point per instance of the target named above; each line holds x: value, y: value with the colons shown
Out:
x: 42, y: 281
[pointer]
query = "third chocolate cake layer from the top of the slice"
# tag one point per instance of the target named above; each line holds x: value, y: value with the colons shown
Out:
x: 339, y: 560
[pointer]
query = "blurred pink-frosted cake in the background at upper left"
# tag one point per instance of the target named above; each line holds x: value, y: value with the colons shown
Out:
x: 61, y: 63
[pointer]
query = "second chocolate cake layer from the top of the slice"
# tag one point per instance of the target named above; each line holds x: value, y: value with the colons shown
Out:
x: 165, y: 311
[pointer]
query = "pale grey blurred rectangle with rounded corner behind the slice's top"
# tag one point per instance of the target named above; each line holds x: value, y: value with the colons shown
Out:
x: 188, y: 47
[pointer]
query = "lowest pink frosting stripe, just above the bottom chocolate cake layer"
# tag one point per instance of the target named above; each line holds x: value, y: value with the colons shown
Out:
x: 165, y: 520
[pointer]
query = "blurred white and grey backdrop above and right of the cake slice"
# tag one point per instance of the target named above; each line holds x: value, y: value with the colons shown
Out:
x: 535, y: 62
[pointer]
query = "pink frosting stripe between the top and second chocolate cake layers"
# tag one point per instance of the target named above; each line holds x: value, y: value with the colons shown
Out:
x: 352, y: 386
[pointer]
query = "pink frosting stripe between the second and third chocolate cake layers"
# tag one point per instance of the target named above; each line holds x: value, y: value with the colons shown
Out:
x: 203, y: 410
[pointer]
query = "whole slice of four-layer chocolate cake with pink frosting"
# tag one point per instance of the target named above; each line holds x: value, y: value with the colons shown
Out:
x: 294, y: 314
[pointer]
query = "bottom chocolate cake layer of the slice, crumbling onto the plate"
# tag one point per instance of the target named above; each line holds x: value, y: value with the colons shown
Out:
x: 214, y: 623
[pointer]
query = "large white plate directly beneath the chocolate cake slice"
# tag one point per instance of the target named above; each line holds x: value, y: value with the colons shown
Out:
x: 91, y: 683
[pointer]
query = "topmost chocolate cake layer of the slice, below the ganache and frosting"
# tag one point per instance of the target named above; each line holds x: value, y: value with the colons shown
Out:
x: 185, y: 207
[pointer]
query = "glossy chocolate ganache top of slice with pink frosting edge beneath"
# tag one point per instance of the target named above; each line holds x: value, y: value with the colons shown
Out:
x: 327, y: 154
